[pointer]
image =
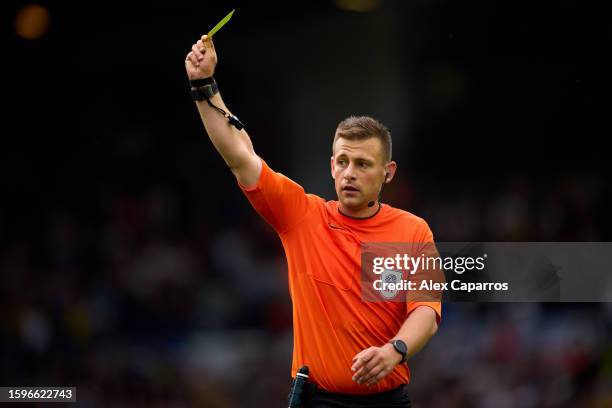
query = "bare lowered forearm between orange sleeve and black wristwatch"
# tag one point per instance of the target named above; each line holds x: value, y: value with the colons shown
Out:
x: 417, y: 329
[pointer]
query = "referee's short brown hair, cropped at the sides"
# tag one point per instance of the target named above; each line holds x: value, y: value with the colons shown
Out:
x: 365, y: 127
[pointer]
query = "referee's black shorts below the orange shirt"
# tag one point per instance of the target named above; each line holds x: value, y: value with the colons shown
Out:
x: 396, y: 398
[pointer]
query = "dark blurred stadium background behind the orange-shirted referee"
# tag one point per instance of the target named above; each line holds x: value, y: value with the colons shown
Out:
x: 132, y: 266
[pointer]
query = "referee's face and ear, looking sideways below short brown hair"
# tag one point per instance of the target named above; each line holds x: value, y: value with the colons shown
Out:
x: 358, y: 170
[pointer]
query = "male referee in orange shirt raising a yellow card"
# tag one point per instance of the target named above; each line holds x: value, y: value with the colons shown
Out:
x: 355, y: 349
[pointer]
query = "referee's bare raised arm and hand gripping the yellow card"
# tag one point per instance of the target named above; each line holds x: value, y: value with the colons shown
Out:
x: 234, y: 145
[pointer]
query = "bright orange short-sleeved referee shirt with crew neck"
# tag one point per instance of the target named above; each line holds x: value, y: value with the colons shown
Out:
x: 331, y: 323
